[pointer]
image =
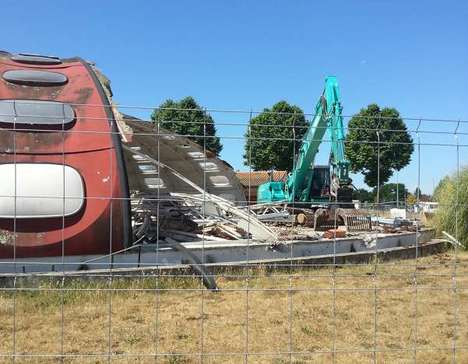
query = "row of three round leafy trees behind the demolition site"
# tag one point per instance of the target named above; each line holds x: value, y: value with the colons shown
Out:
x: 377, y: 140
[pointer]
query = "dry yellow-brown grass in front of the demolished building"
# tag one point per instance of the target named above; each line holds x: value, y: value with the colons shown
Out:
x: 282, y: 312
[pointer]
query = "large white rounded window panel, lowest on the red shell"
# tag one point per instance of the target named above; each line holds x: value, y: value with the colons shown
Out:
x: 42, y: 190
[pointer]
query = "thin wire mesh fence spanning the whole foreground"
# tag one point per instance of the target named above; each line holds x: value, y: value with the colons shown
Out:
x: 153, y: 249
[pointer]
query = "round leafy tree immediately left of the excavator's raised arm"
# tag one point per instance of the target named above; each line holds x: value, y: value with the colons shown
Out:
x: 275, y: 137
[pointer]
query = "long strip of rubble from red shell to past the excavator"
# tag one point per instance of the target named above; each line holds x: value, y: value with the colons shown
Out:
x: 206, y: 217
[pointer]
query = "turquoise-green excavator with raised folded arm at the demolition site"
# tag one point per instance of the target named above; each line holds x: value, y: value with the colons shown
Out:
x: 309, y: 185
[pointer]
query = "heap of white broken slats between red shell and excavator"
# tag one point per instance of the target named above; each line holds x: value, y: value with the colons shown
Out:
x: 195, y: 217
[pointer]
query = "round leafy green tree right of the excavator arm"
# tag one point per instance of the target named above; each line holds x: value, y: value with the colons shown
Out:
x: 374, y: 135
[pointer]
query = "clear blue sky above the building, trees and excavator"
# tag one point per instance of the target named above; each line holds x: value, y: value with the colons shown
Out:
x: 246, y: 55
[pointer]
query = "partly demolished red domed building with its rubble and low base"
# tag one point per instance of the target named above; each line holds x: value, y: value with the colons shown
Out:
x: 85, y: 186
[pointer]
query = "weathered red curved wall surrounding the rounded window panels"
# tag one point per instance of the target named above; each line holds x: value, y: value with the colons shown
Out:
x: 88, y: 146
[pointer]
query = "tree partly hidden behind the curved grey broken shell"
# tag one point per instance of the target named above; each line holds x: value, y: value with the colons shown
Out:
x: 186, y: 117
